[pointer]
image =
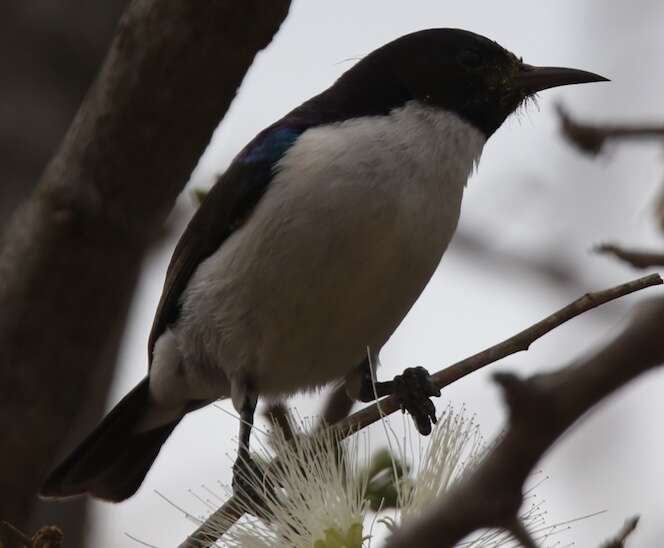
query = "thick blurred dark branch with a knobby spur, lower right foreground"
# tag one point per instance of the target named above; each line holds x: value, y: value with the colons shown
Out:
x: 542, y: 408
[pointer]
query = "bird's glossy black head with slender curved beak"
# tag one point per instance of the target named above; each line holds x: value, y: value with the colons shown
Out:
x: 452, y: 69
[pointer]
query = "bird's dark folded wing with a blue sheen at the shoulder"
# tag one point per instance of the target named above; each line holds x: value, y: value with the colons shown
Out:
x: 226, y: 206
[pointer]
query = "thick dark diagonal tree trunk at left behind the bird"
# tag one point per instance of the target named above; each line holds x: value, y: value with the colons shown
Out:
x: 72, y: 254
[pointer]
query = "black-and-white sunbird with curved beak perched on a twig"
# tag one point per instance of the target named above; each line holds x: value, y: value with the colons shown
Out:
x: 312, y: 246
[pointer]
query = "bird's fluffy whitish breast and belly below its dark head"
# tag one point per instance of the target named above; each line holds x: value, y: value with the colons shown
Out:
x: 342, y: 243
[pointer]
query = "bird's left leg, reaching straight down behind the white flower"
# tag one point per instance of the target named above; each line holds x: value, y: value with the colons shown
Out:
x: 249, y: 481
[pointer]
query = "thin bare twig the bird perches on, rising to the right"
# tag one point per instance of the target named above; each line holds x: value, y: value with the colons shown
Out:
x: 201, y: 537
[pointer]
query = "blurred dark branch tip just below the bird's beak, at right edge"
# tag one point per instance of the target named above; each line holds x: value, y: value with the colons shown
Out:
x: 591, y: 138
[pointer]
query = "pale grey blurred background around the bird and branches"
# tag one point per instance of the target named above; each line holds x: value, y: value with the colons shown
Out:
x: 533, y: 196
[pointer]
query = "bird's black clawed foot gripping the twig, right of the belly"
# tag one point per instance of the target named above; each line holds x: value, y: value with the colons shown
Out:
x: 413, y: 389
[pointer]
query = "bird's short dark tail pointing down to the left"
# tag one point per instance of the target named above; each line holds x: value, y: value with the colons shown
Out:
x: 114, y: 459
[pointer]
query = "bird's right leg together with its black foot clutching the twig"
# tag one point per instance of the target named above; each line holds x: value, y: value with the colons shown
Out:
x: 413, y: 389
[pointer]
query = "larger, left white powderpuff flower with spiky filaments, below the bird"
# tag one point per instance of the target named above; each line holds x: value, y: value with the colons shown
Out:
x: 319, y: 498
